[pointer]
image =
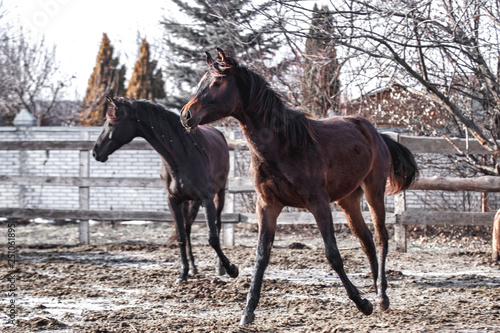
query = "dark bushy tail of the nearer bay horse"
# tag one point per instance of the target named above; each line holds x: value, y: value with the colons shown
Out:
x: 404, y: 169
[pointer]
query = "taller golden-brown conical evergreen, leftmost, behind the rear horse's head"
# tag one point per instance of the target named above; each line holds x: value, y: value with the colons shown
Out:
x: 106, y: 79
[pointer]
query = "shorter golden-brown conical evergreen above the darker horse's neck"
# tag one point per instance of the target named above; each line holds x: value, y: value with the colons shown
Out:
x: 145, y: 83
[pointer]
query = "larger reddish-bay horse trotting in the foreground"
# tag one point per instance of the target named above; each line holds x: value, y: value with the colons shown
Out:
x: 300, y: 162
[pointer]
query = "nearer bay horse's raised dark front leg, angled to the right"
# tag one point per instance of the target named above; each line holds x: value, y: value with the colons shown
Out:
x: 321, y: 210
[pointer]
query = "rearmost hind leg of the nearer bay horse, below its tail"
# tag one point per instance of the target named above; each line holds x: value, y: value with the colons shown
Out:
x: 374, y: 193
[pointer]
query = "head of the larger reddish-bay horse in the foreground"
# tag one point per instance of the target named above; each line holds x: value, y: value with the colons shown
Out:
x: 217, y: 96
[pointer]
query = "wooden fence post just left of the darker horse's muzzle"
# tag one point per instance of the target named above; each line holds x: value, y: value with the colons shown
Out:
x: 84, y: 192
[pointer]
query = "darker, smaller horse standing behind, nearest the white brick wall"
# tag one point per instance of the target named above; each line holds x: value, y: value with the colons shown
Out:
x: 194, y: 167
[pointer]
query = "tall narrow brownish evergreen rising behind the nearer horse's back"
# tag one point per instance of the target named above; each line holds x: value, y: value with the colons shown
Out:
x: 320, y: 85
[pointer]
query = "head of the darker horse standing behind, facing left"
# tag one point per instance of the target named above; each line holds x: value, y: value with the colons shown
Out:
x: 118, y: 130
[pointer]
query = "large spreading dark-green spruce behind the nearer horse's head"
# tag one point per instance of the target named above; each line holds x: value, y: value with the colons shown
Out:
x: 234, y: 25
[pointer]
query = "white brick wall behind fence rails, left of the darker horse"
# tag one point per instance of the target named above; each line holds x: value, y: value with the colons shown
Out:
x: 122, y: 163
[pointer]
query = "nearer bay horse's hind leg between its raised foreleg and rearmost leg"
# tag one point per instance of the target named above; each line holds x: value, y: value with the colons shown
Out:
x: 351, y: 206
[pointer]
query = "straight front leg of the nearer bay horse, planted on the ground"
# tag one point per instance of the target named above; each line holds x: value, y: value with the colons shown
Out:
x: 266, y: 215
